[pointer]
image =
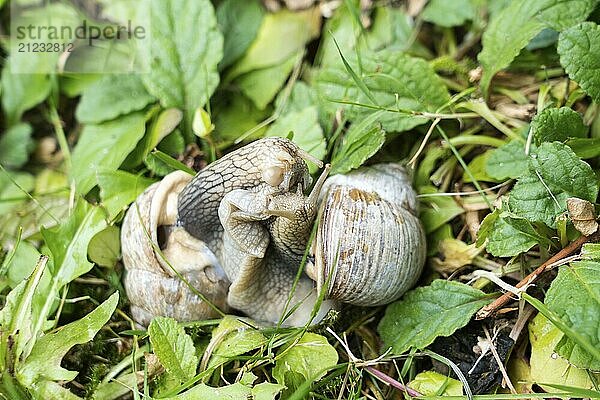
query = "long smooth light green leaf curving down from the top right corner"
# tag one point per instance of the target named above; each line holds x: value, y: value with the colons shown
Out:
x: 518, y: 23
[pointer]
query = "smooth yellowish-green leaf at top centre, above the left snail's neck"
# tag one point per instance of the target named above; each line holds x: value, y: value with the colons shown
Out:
x: 294, y: 30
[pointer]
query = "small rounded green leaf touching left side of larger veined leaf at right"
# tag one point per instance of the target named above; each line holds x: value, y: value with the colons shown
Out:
x: 508, y: 161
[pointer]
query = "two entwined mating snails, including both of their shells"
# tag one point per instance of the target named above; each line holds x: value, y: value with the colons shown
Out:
x: 238, y: 230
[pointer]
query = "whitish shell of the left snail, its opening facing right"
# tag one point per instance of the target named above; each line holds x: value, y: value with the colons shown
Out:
x: 151, y: 284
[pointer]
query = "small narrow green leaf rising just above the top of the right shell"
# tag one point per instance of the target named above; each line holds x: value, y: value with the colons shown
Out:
x: 362, y: 141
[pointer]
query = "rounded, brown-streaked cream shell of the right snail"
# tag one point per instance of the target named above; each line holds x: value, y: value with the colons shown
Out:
x: 370, y: 247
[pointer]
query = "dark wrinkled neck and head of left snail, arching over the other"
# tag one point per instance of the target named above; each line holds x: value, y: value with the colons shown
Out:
x: 273, y: 165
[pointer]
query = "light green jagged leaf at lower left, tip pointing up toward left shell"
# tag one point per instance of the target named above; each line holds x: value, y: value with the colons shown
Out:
x: 44, y: 361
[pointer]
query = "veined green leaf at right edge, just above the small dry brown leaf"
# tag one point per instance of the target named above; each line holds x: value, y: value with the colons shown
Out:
x: 555, y: 173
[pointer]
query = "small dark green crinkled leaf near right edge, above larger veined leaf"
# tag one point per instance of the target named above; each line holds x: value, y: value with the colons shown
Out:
x: 557, y: 124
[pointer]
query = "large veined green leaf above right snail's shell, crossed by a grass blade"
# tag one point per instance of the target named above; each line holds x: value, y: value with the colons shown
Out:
x: 398, y: 81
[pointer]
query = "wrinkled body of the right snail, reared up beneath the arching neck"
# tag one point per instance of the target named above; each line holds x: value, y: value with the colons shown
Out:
x: 264, y: 242
